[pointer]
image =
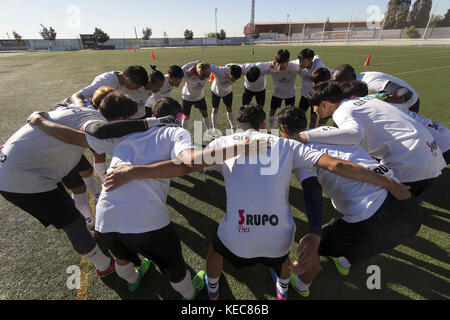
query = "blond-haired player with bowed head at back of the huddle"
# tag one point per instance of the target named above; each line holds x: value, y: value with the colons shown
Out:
x: 196, y: 74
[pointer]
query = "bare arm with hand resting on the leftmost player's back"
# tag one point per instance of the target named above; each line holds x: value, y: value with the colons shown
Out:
x: 61, y: 132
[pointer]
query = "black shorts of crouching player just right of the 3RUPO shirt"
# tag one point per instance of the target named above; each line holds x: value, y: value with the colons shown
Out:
x: 393, y: 222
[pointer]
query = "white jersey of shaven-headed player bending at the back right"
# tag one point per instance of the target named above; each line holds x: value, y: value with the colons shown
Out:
x: 377, y: 81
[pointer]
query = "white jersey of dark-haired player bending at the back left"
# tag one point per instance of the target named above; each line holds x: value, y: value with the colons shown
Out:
x: 109, y: 79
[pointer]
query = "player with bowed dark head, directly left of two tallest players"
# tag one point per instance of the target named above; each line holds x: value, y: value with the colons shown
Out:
x: 255, y: 82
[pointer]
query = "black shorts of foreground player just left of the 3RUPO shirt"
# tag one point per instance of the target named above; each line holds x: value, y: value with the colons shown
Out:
x: 161, y: 246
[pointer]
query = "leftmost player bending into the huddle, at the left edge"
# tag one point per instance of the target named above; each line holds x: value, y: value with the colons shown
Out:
x: 33, y: 163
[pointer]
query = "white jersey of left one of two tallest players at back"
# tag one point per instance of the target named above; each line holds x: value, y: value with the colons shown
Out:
x: 284, y: 82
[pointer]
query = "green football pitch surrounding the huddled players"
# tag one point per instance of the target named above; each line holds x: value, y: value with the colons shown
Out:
x: 34, y: 260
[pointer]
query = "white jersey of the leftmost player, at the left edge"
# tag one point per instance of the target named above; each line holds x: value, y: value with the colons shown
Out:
x: 35, y: 162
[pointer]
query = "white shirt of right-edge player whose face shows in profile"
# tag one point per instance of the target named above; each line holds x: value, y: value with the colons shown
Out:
x: 391, y: 136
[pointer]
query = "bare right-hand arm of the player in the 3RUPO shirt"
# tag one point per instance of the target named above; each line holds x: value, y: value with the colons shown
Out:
x: 350, y: 170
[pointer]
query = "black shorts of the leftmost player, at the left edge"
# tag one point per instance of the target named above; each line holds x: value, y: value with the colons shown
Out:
x: 53, y: 207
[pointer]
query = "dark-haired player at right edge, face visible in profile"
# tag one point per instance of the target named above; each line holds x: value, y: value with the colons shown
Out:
x: 384, y: 131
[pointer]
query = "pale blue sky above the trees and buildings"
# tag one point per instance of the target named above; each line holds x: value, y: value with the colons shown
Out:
x: 118, y: 17
